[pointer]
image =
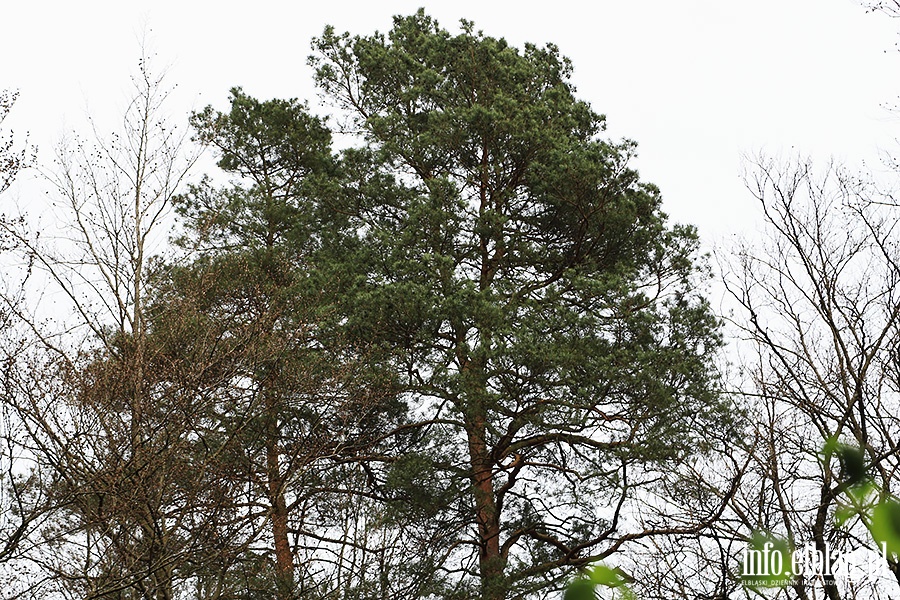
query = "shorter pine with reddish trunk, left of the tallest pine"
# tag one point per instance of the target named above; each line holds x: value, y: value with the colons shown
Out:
x: 291, y: 399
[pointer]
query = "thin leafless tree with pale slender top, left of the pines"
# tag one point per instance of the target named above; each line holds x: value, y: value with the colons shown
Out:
x: 109, y: 421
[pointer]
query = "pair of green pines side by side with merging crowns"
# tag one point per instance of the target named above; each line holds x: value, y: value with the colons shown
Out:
x: 475, y: 323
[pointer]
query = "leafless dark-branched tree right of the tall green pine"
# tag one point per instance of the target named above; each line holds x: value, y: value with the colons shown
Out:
x: 820, y: 306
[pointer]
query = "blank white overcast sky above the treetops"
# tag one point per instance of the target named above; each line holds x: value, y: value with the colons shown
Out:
x: 695, y: 82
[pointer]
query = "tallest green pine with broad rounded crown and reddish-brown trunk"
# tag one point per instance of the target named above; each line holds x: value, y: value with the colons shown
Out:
x: 540, y: 311
